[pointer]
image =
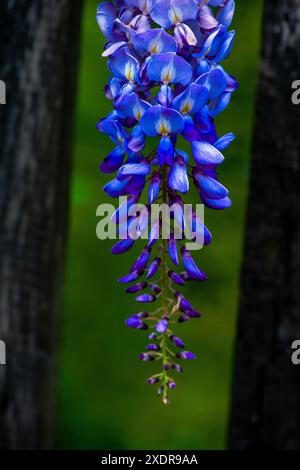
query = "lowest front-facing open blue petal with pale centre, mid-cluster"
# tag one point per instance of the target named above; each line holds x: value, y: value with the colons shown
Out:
x: 161, y: 121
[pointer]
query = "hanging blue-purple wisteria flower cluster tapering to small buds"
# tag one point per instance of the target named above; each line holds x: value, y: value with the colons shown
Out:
x: 167, y: 86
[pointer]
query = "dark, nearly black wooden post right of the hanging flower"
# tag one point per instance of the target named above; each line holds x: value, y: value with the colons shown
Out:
x: 266, y: 388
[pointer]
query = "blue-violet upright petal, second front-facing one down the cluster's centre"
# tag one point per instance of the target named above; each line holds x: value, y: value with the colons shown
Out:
x: 154, y: 41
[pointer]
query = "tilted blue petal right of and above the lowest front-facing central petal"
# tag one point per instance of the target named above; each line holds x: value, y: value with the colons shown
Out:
x: 192, y: 100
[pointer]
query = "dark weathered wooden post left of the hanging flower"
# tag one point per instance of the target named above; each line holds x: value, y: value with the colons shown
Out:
x: 39, y: 48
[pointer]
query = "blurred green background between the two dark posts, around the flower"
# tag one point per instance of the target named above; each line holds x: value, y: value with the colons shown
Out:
x: 104, y: 402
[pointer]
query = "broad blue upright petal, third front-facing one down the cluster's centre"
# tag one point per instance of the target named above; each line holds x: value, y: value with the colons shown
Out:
x: 169, y: 68
